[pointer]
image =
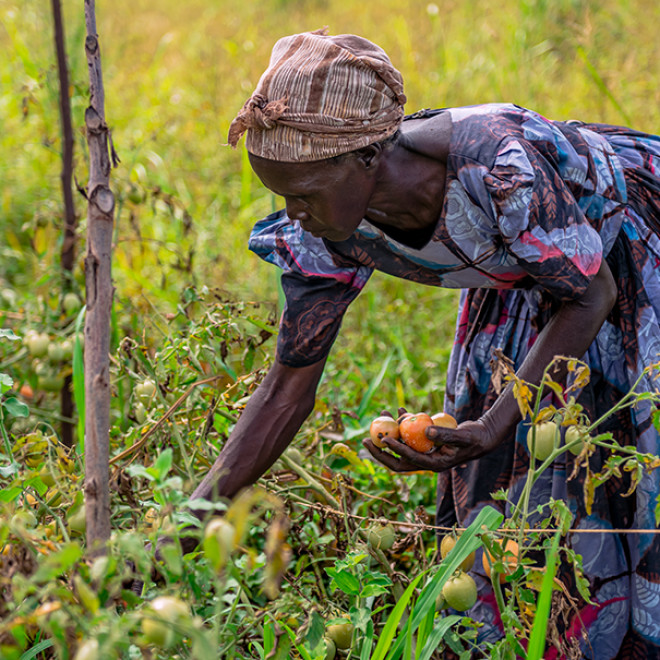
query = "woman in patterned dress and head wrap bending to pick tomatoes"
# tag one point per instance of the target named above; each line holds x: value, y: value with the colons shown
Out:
x: 550, y: 228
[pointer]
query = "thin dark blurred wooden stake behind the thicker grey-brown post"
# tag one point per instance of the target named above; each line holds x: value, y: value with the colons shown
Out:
x: 69, y: 243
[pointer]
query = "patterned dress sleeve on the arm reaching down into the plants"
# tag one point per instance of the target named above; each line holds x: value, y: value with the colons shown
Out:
x: 318, y: 290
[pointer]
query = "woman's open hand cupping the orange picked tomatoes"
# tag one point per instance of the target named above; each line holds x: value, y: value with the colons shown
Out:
x: 453, y: 447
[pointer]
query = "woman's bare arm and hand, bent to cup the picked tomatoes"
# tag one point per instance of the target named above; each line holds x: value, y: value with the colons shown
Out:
x: 569, y: 332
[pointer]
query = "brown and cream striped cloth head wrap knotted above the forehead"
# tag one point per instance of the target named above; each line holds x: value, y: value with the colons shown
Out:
x: 321, y: 96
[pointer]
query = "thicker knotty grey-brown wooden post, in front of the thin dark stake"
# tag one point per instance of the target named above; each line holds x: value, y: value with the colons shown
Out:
x: 99, y: 290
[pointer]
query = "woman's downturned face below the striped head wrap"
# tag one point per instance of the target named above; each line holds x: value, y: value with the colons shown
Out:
x: 328, y: 198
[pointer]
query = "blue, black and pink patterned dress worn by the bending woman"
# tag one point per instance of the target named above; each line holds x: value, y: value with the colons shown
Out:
x: 531, y: 208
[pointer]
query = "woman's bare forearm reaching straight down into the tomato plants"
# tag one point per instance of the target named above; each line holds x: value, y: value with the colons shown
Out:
x: 271, y: 419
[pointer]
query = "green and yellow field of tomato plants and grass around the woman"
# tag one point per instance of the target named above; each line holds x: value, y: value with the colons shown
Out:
x: 192, y: 303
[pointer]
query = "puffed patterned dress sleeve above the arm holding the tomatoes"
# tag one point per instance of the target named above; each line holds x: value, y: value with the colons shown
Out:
x: 540, y: 221
